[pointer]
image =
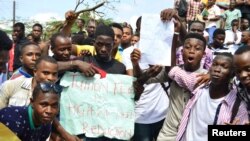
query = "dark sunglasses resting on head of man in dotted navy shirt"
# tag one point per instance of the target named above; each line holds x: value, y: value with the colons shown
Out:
x: 46, y: 87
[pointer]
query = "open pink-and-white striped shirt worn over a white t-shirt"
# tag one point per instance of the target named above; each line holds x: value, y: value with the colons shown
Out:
x: 188, y: 81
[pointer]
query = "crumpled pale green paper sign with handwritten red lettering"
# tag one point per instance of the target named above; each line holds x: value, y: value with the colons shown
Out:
x: 98, y: 107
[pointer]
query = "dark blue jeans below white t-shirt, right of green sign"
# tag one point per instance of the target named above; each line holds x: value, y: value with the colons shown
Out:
x: 147, y: 132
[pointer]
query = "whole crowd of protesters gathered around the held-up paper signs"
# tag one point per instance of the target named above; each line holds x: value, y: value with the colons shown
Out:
x: 210, y: 71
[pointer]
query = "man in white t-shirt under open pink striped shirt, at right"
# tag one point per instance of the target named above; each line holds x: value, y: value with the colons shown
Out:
x: 217, y: 98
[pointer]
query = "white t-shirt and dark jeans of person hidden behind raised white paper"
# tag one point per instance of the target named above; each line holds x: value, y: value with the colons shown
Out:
x: 151, y: 108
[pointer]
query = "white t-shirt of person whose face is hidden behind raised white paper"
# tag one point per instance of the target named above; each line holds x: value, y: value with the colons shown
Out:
x: 153, y: 103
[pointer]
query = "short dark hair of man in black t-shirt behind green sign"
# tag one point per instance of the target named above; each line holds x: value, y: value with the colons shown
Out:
x: 104, y: 30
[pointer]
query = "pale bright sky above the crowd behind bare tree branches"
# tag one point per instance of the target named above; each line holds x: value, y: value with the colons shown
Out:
x: 42, y: 10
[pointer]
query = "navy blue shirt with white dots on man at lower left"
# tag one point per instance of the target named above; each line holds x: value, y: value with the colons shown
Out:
x: 19, y: 121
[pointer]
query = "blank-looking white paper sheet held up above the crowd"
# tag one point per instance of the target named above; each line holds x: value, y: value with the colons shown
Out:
x: 156, y: 40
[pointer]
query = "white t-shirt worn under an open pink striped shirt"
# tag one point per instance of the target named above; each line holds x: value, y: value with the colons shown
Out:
x: 202, y: 115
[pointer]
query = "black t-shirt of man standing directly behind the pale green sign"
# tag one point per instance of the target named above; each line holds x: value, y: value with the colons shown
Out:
x: 113, y: 66
